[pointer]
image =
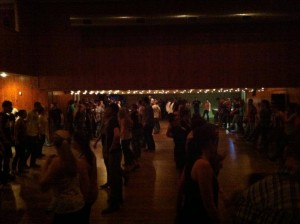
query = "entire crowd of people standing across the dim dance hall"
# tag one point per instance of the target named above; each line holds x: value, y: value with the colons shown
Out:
x: 71, y: 173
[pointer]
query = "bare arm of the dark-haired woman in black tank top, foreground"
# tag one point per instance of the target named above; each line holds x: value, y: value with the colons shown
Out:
x: 203, y: 173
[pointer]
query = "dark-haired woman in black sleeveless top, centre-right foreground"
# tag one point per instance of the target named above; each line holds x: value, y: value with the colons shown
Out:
x: 198, y: 190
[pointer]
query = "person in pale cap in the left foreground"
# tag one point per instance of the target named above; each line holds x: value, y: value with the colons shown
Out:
x: 60, y: 174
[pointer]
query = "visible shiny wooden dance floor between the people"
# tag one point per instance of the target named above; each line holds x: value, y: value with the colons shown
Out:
x: 149, y: 197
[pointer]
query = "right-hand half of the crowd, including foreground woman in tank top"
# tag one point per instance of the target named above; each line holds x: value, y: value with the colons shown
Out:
x: 270, y: 198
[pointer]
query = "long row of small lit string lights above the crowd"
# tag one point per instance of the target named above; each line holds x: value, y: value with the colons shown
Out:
x: 162, y: 91
